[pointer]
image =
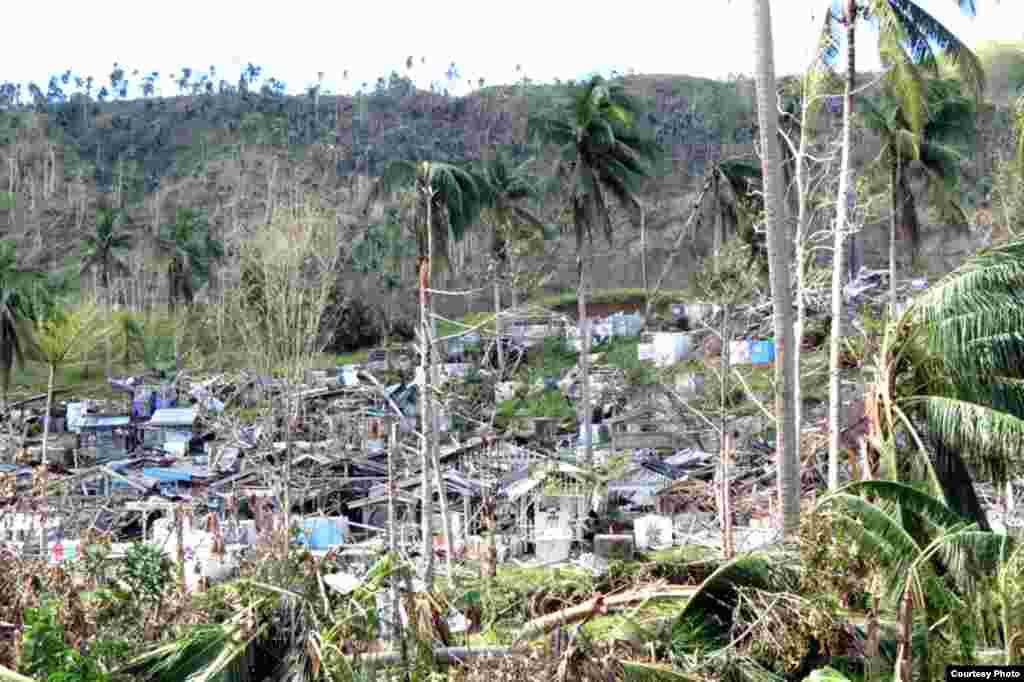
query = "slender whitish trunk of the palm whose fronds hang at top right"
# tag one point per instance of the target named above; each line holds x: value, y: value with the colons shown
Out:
x: 839, y: 249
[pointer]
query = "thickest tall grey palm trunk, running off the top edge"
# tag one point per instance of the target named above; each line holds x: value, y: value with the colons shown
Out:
x: 788, y: 445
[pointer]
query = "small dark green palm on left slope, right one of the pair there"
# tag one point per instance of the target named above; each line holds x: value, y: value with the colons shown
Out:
x: 192, y: 251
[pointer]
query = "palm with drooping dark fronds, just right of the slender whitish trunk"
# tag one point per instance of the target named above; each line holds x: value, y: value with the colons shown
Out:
x: 950, y: 124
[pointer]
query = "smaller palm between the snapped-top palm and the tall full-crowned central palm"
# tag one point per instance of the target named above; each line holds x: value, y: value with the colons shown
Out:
x: 505, y: 188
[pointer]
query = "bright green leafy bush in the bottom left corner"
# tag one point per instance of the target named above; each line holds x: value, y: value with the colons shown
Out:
x: 46, y: 654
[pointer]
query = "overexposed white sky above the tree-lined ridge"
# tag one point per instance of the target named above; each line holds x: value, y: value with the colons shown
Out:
x: 550, y: 39
